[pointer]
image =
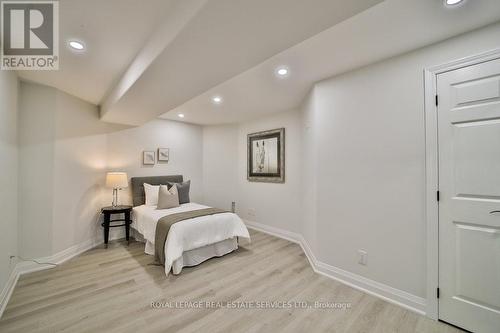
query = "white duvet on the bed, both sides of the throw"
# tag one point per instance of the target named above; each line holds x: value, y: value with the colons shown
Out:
x: 188, y: 234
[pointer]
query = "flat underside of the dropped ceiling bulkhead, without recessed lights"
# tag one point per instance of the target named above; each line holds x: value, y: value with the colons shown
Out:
x: 221, y: 39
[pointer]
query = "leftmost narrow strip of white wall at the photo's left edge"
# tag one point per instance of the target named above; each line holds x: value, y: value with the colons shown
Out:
x: 8, y: 172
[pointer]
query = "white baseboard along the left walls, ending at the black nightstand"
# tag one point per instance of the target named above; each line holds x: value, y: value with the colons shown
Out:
x: 25, y: 267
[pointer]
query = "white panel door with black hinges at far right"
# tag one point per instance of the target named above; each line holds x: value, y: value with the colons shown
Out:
x: 469, y: 184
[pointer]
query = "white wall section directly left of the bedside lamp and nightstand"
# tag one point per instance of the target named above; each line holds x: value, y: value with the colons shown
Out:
x: 79, y: 166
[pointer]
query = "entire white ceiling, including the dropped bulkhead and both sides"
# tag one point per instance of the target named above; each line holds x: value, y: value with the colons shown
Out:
x: 153, y: 58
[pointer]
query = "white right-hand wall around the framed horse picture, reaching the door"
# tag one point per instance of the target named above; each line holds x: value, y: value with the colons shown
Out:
x: 355, y: 166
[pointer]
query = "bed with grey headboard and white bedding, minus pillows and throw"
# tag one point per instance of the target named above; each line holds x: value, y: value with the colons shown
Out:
x: 189, y: 242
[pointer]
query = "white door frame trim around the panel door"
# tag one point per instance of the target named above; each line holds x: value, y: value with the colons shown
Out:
x: 432, y: 169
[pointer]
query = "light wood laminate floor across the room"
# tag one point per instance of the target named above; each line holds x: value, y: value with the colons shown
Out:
x: 112, y: 290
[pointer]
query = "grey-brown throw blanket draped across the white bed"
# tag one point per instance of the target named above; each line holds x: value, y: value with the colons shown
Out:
x: 164, y: 224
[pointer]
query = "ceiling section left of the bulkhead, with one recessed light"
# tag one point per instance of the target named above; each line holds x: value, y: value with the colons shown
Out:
x: 113, y: 32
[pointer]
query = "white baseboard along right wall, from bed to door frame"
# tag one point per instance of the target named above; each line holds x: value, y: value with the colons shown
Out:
x: 399, y: 297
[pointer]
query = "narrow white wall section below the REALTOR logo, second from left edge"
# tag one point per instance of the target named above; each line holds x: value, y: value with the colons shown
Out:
x: 36, y: 152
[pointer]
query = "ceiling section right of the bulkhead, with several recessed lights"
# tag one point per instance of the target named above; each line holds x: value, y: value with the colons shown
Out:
x: 385, y: 30
